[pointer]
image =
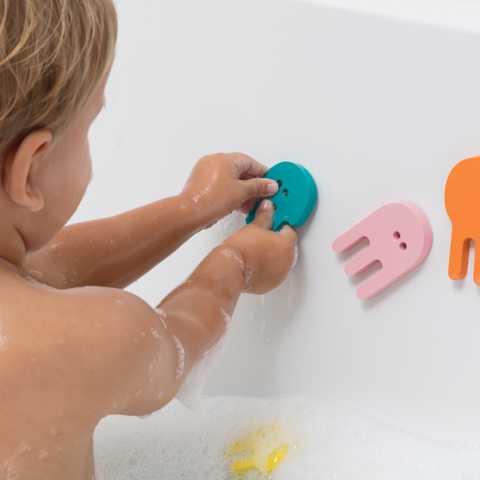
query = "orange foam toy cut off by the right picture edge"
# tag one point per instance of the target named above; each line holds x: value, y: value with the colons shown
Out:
x: 462, y: 200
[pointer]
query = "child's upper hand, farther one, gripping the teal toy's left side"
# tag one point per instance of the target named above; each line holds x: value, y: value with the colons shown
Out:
x: 223, y: 182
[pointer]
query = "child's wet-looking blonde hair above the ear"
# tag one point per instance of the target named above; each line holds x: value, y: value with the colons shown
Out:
x: 53, y: 56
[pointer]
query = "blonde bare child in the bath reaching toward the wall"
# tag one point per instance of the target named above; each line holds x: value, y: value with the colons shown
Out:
x: 75, y: 347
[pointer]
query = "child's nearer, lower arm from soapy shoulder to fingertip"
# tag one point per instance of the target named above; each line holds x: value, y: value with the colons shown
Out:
x: 137, y: 358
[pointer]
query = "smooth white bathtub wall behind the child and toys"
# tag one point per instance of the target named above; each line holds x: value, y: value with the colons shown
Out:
x: 379, y: 109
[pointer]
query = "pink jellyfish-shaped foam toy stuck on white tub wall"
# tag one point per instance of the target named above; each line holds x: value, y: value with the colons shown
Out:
x: 400, y: 239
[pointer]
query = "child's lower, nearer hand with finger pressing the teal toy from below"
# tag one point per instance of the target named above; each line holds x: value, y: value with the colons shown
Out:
x: 269, y: 255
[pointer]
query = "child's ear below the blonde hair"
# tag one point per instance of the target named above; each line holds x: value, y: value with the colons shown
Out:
x: 19, y: 169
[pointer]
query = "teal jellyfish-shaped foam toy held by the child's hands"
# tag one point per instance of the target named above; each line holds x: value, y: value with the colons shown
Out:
x: 295, y: 198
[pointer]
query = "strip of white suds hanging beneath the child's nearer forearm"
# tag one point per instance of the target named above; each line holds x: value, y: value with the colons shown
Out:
x: 191, y: 392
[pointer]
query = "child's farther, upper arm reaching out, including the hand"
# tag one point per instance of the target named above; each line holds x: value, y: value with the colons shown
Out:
x: 117, y: 251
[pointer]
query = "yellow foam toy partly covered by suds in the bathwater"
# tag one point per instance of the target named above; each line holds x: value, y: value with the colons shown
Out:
x: 263, y: 450
